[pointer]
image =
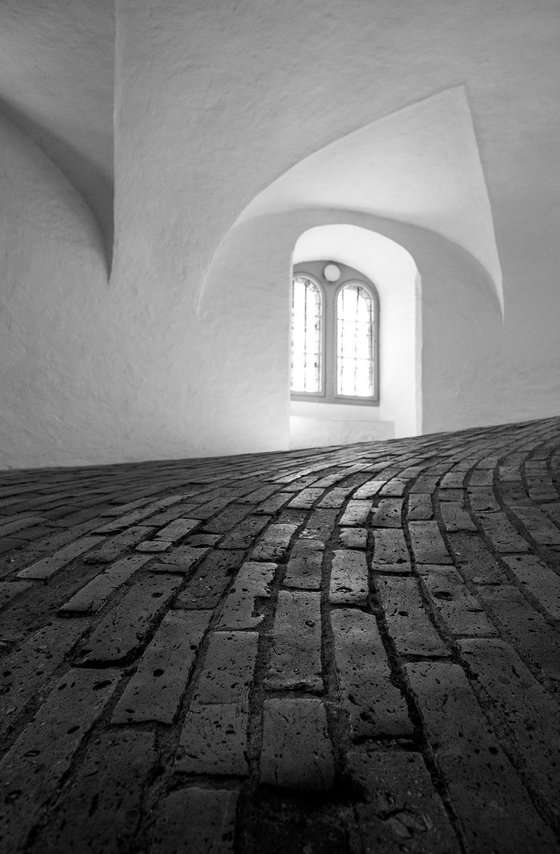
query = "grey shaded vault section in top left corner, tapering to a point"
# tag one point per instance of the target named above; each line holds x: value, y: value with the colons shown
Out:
x: 57, y: 85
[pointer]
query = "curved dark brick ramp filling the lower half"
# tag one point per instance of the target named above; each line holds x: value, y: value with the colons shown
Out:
x: 351, y: 650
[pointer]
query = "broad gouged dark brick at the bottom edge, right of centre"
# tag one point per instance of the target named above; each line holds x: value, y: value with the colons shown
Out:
x: 402, y: 810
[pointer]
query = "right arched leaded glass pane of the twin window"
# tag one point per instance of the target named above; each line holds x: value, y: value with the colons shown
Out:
x: 355, y: 327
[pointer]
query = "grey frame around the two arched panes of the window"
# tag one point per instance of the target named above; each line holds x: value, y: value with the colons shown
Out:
x: 313, y: 270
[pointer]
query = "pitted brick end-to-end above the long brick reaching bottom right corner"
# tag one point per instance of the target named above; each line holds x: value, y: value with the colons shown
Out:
x: 407, y: 620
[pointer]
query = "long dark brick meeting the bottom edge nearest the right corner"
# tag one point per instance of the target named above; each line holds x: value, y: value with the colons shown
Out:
x: 493, y: 810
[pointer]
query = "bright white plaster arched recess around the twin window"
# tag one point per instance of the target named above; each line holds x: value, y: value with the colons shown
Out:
x: 394, y: 273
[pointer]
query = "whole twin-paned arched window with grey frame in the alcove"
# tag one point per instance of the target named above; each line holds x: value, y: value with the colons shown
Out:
x: 335, y: 346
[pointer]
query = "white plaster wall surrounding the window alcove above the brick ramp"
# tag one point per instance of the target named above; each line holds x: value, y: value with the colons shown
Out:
x: 213, y: 104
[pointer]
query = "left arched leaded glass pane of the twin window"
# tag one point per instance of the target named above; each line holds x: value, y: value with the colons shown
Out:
x: 307, y: 321
